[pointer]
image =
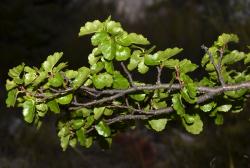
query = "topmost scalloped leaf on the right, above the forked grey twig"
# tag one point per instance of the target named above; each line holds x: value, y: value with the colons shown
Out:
x: 226, y: 38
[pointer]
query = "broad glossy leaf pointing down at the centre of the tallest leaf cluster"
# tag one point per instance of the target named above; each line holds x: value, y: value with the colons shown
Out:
x: 108, y: 49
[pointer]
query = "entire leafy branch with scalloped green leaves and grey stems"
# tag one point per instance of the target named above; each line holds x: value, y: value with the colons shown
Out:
x: 94, y: 103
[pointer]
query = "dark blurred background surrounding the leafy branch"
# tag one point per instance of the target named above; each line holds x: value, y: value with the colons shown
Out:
x: 30, y: 30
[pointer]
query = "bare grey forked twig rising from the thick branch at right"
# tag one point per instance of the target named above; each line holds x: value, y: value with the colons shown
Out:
x: 218, y: 66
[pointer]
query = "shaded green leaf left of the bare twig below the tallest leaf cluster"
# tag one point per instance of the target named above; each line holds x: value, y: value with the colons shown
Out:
x: 120, y: 82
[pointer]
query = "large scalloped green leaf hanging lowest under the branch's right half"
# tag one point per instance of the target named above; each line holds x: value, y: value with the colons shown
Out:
x: 196, y: 127
